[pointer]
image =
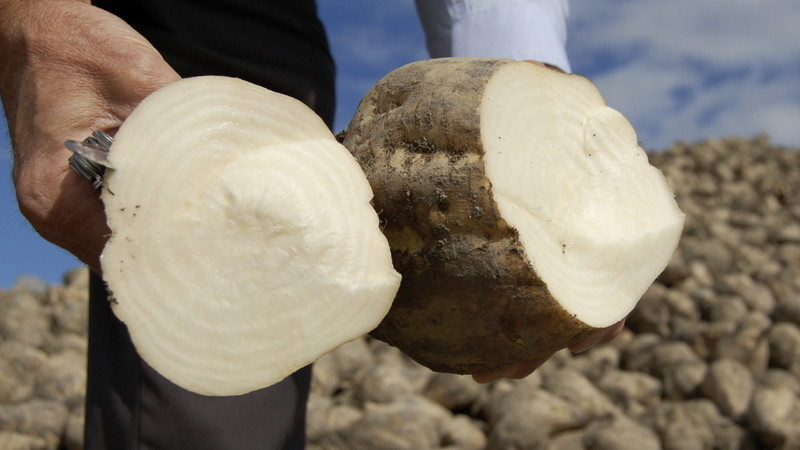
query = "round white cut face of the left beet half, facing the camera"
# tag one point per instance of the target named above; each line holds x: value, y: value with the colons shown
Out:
x: 243, y: 245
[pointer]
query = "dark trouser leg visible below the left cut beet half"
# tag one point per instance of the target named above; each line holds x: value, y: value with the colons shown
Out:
x: 130, y: 406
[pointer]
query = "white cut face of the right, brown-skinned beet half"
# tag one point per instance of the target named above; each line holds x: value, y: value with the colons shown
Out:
x: 597, y: 221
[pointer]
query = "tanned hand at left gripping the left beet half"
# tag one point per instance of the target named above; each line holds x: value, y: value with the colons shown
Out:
x: 68, y: 69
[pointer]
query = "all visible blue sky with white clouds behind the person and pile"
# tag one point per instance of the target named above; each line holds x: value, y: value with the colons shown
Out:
x: 679, y: 70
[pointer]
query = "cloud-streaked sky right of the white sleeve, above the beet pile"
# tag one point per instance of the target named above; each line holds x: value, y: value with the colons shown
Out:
x: 694, y: 69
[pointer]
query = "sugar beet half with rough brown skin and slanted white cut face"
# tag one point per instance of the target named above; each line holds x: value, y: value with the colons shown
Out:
x: 520, y: 209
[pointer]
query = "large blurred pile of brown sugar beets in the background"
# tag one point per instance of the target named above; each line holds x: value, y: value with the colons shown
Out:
x: 709, y: 359
